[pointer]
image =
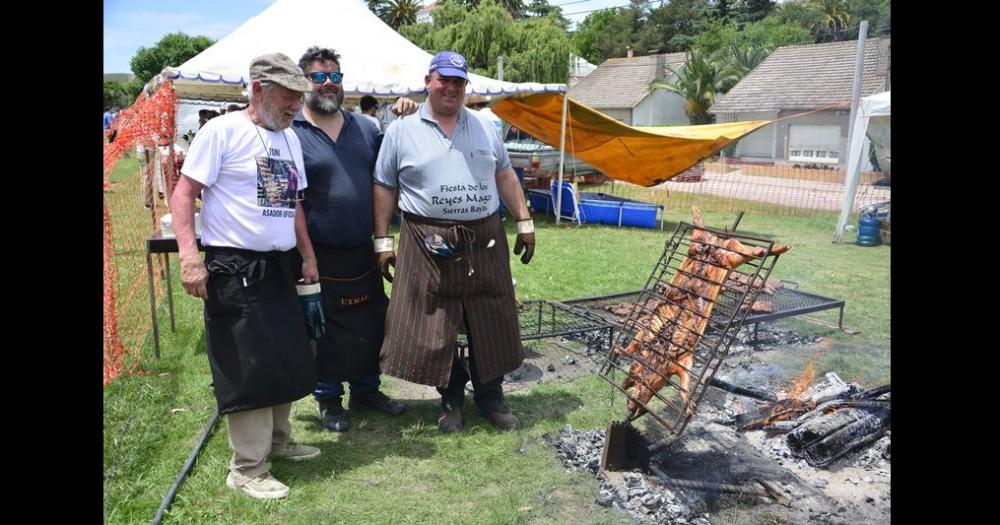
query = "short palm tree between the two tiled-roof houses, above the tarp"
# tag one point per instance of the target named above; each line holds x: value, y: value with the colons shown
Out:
x: 698, y: 80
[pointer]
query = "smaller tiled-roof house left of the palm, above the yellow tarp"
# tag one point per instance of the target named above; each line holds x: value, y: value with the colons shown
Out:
x: 619, y: 88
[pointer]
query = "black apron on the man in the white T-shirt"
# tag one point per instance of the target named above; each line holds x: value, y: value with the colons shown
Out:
x: 257, y: 344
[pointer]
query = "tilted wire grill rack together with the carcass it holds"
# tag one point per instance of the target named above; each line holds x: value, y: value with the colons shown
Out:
x: 678, y: 337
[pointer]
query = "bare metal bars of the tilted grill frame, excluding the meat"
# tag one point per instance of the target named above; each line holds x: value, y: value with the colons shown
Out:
x: 712, y: 345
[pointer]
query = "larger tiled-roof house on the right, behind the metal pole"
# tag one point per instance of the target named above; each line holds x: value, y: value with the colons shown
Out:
x: 815, y: 78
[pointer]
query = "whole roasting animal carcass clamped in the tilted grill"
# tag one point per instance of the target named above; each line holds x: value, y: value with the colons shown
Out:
x: 664, y: 344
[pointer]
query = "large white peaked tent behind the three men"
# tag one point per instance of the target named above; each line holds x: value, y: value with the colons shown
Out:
x: 375, y: 59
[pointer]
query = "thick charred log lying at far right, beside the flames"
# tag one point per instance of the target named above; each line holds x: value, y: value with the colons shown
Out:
x: 825, y: 438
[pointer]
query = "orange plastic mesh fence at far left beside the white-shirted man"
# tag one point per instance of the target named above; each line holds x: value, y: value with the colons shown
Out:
x: 133, y: 204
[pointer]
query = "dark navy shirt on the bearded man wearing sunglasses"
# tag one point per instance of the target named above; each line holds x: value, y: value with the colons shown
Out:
x: 338, y: 200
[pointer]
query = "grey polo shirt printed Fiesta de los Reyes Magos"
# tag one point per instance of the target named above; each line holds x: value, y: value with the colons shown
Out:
x: 438, y: 177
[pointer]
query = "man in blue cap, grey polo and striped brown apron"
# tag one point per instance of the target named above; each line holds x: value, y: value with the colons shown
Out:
x: 450, y: 169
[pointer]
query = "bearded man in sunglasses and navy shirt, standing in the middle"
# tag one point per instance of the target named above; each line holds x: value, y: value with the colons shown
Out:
x: 339, y: 151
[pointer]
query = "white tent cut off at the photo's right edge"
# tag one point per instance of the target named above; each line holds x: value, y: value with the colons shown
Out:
x: 872, y: 119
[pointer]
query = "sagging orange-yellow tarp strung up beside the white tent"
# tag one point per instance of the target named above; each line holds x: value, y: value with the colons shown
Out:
x: 641, y: 155
